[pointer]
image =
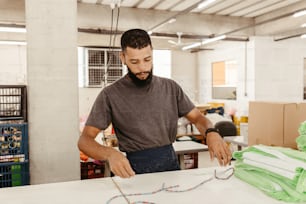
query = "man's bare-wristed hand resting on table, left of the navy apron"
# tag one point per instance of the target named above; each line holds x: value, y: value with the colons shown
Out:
x: 120, y: 165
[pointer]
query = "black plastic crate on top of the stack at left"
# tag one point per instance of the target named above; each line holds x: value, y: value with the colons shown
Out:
x: 13, y: 102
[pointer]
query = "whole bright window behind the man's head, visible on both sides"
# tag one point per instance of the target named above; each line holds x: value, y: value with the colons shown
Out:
x: 99, y: 67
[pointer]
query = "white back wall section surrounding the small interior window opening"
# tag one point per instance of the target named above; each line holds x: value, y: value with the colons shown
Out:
x: 226, y: 51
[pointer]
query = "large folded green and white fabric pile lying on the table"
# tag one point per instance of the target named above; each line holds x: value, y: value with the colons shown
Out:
x: 278, y: 171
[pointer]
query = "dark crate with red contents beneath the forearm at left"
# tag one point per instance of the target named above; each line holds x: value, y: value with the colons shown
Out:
x: 91, y: 170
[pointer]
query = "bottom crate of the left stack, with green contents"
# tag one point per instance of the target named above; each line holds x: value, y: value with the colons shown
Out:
x: 14, y: 174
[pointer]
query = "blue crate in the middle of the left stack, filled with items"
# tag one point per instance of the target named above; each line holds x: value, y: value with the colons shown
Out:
x: 13, y: 141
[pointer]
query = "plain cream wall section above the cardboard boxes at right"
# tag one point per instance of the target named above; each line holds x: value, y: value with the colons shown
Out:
x: 279, y: 69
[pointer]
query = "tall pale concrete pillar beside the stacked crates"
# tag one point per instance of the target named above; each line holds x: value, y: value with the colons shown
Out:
x: 52, y: 90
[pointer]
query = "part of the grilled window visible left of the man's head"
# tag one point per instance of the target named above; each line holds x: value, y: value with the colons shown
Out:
x: 99, y: 67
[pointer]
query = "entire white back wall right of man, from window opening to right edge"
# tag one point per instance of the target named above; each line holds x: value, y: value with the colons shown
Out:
x: 268, y: 70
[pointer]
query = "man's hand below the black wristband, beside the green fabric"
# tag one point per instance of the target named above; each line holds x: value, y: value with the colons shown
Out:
x: 218, y: 148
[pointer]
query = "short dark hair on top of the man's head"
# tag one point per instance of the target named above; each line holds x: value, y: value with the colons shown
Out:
x: 135, y: 38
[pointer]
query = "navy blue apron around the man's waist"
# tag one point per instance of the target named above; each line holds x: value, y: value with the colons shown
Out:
x: 154, y: 160
